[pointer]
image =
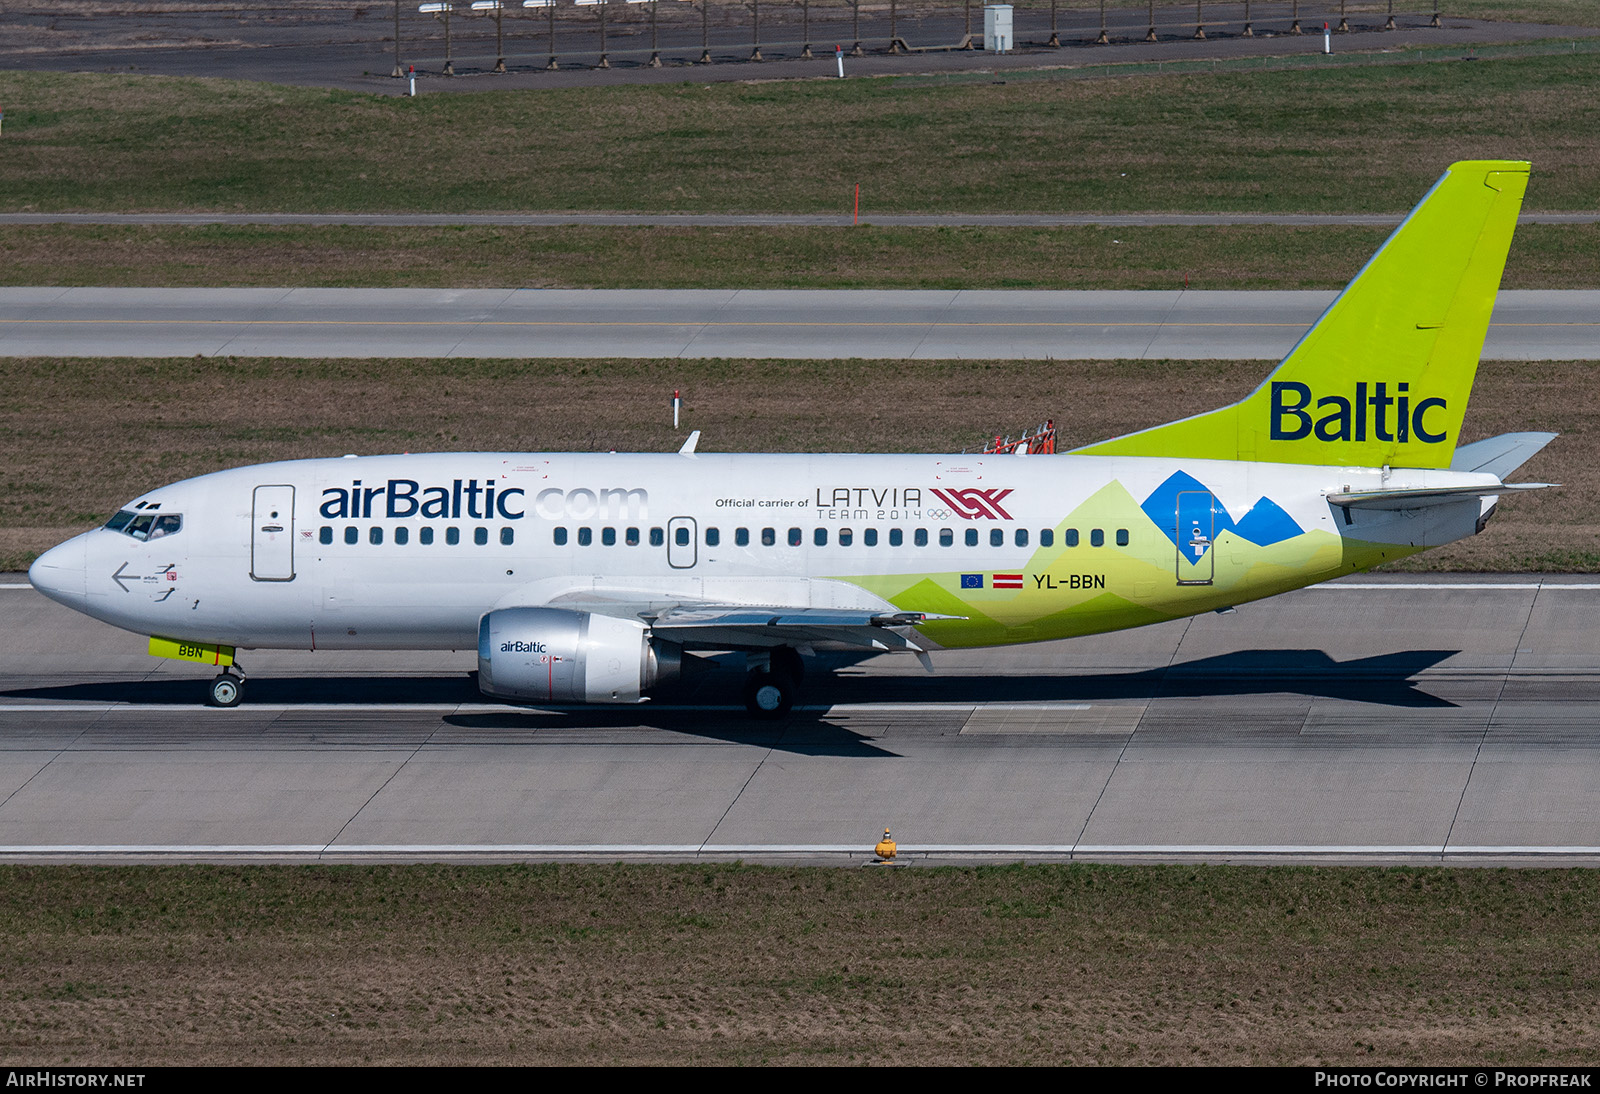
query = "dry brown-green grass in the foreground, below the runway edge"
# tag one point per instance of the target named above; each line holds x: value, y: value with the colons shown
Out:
x: 743, y: 965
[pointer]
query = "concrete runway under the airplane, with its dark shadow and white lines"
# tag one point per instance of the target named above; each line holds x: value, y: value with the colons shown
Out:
x: 1375, y: 721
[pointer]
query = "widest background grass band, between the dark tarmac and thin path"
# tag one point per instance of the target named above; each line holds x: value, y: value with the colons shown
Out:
x: 1364, y: 138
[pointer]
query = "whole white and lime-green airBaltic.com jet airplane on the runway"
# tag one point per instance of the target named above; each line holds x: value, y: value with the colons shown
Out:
x: 593, y: 578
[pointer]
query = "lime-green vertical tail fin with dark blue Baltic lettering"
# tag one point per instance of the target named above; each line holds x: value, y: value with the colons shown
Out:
x: 1385, y: 375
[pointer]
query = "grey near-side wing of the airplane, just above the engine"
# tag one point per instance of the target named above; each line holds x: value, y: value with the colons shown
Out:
x: 743, y: 628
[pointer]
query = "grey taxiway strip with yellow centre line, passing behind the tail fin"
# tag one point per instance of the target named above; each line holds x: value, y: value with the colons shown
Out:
x: 716, y: 324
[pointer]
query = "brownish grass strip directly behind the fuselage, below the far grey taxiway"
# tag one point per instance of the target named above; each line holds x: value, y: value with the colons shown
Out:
x: 81, y: 437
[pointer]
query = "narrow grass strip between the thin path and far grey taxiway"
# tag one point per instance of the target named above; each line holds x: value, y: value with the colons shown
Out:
x: 1143, y: 258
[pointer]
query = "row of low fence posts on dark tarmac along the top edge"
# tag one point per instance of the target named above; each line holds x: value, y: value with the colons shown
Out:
x: 497, y: 36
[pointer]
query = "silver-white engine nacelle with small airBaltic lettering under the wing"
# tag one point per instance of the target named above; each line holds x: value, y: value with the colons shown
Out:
x: 546, y: 655
